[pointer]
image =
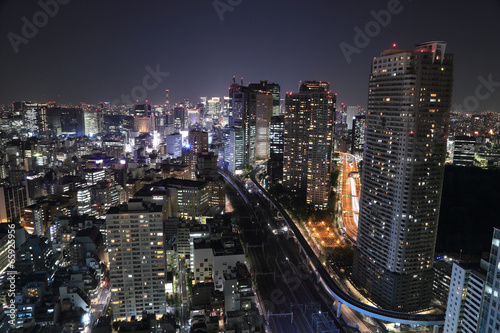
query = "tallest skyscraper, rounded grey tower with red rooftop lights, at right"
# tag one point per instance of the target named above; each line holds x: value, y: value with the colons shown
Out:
x: 403, y: 166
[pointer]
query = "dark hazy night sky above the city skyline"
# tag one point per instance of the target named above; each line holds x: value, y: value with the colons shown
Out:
x: 96, y: 50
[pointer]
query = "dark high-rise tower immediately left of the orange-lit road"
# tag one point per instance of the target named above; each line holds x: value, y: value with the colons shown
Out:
x: 308, y: 142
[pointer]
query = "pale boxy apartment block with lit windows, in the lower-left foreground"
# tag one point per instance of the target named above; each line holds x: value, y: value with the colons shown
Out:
x: 137, y: 259
